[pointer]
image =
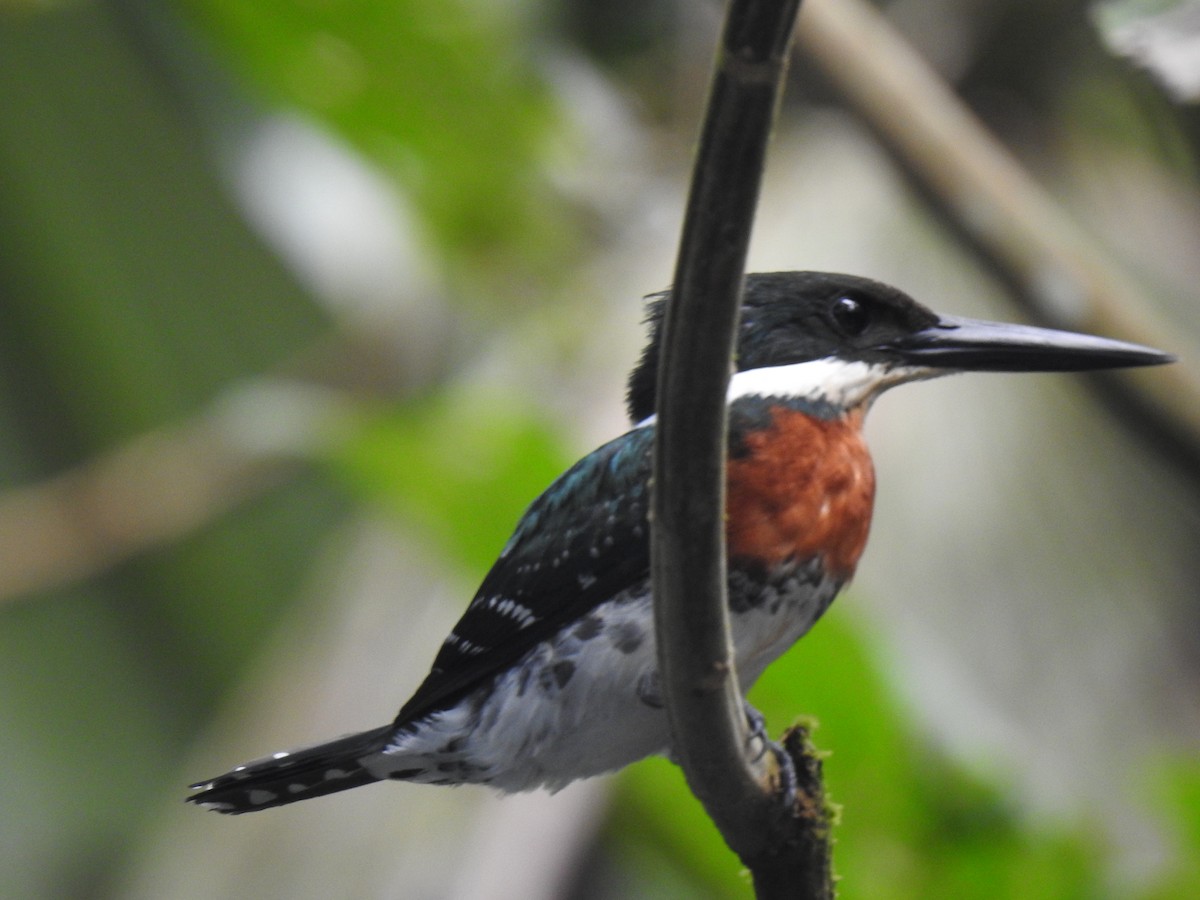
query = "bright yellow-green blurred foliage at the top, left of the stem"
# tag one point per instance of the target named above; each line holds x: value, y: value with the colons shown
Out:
x: 446, y: 97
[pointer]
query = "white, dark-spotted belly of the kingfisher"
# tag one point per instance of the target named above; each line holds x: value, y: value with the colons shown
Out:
x: 587, y: 701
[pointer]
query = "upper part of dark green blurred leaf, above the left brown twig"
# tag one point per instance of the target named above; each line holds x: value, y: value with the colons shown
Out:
x: 133, y: 291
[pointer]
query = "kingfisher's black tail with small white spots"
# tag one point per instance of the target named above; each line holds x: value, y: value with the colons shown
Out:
x: 296, y: 776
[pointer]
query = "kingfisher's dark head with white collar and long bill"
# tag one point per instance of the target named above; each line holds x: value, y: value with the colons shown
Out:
x: 842, y: 340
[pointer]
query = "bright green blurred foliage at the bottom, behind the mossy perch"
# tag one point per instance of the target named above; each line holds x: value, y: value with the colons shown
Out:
x: 913, y: 824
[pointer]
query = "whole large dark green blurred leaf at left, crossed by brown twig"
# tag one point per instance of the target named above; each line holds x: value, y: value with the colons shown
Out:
x: 131, y: 293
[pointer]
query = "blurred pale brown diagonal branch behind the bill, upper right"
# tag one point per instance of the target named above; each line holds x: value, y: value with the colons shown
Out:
x: 1058, y: 272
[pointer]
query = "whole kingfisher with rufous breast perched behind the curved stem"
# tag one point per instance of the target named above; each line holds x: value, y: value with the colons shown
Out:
x: 551, y: 676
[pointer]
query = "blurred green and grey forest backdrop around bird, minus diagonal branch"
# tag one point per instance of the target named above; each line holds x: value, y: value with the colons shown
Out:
x: 301, y: 305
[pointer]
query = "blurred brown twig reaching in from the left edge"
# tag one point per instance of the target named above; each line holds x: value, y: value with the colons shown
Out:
x: 176, y: 481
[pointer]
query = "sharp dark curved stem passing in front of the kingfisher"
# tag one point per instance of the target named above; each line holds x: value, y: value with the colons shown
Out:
x: 710, y: 735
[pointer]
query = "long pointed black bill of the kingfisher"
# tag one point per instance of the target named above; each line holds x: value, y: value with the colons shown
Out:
x: 976, y: 346
